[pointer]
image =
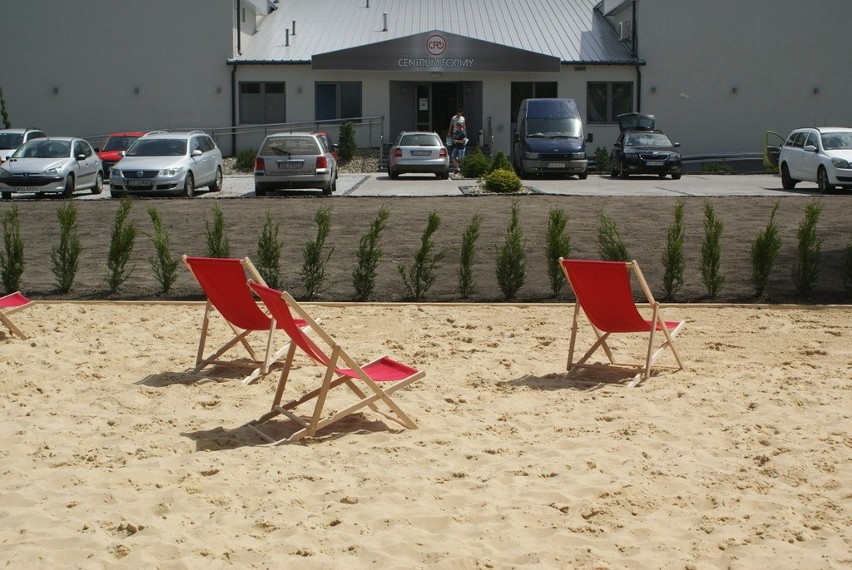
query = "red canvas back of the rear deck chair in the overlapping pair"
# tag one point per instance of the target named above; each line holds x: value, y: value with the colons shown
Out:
x: 224, y: 283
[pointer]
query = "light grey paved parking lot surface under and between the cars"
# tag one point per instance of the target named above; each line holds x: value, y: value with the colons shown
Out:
x: 378, y: 184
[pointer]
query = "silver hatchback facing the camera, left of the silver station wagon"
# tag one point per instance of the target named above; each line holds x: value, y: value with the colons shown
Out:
x: 60, y: 165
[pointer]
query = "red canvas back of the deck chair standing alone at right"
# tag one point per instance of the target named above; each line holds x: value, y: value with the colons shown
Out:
x: 603, y: 291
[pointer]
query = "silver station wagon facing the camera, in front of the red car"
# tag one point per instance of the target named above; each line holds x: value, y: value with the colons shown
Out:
x: 162, y: 162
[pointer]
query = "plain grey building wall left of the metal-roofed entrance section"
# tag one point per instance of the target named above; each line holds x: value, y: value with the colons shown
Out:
x: 73, y: 68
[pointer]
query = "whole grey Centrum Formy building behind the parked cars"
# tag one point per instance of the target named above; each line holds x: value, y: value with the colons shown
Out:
x: 716, y: 74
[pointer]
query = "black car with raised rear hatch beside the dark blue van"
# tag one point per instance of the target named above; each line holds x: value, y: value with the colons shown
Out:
x: 642, y: 149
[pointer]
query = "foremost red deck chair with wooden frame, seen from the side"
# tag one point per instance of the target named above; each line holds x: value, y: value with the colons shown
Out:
x: 371, y: 383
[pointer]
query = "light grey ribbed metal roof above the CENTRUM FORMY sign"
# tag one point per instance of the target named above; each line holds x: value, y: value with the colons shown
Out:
x: 571, y: 30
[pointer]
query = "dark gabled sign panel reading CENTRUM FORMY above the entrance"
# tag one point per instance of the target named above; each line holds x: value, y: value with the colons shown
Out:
x: 435, y: 51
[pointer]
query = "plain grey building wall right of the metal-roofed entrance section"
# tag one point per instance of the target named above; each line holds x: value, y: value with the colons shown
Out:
x: 774, y: 52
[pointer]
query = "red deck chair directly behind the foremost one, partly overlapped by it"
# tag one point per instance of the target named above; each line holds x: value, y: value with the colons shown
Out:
x: 224, y: 283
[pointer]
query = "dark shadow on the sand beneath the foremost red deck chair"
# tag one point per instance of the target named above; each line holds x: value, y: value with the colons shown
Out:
x: 220, y: 438
